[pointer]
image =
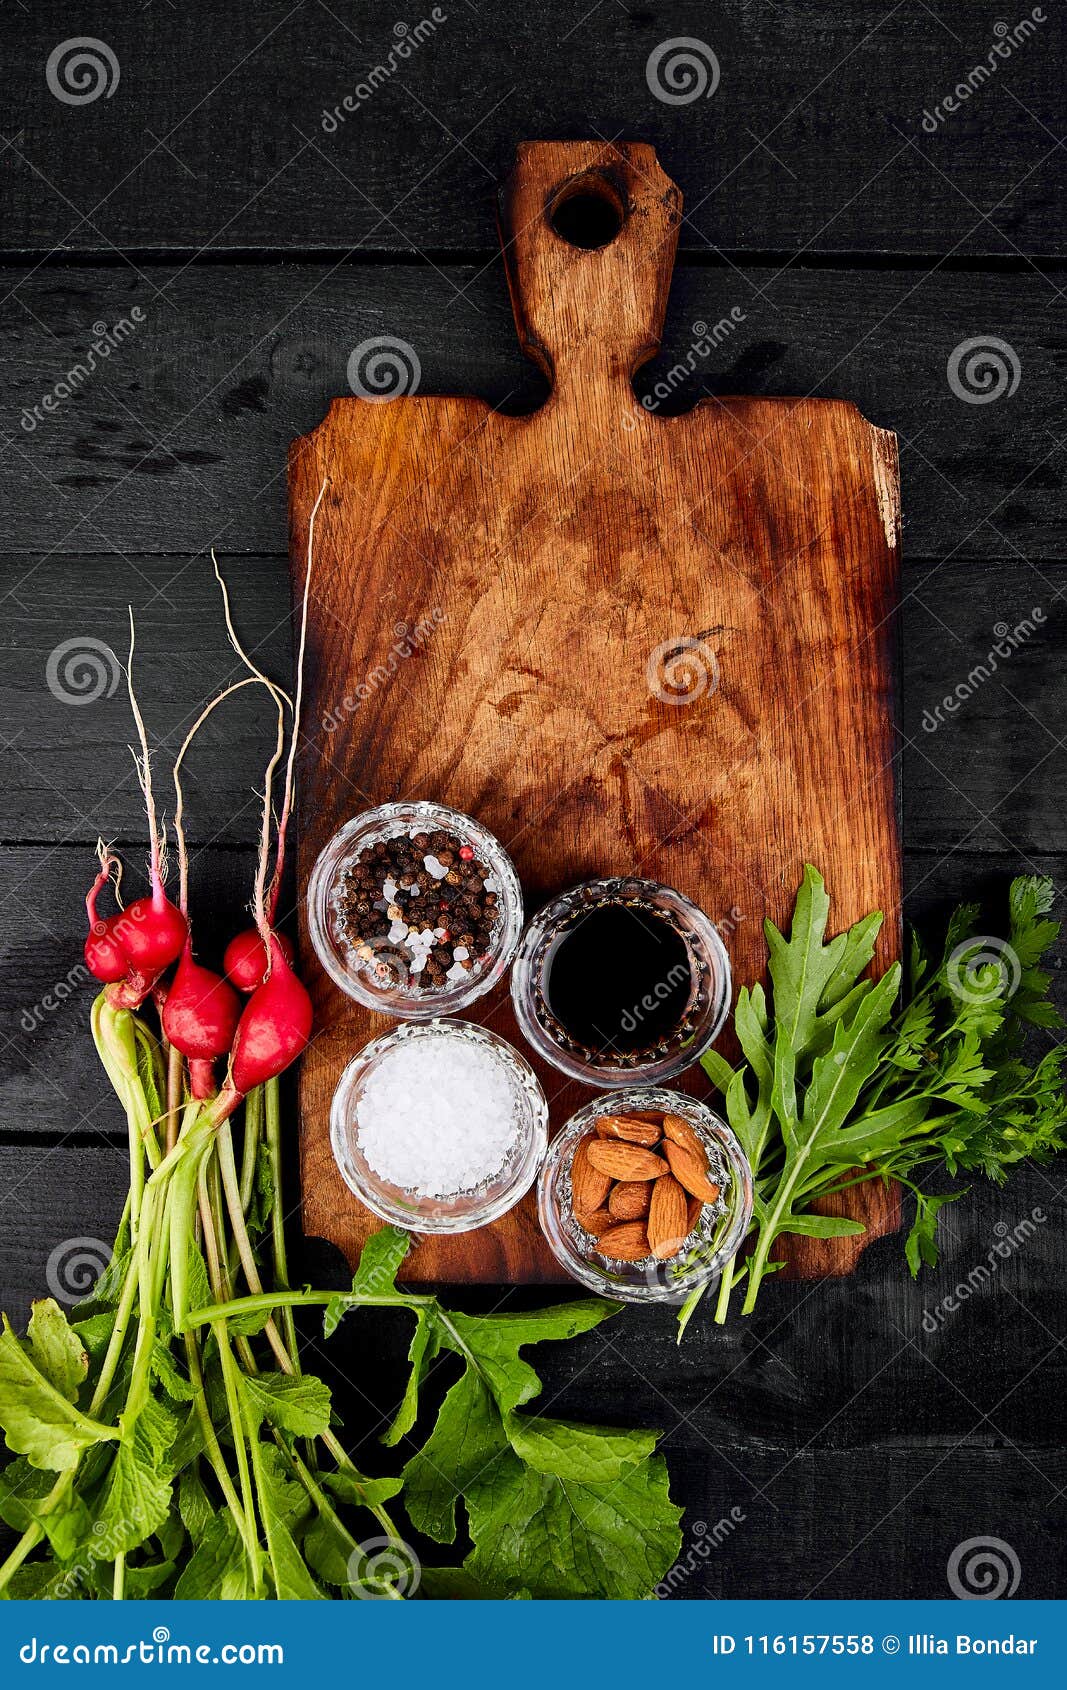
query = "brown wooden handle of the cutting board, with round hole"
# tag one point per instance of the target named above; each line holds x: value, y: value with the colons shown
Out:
x: 589, y: 236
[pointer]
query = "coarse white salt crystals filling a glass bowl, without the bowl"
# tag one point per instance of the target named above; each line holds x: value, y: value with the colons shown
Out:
x: 439, y: 1116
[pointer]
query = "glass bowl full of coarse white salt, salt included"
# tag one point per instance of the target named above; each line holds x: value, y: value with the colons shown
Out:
x: 439, y: 1126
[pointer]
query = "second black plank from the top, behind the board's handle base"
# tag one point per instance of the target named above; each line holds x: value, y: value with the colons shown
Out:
x: 178, y: 439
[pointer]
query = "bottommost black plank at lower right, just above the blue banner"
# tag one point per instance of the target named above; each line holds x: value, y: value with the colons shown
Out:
x: 867, y: 1524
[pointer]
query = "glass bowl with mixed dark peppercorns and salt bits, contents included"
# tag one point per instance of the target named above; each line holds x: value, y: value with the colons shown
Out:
x: 415, y: 910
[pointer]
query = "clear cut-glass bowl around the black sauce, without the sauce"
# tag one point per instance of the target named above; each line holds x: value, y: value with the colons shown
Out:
x: 665, y: 1059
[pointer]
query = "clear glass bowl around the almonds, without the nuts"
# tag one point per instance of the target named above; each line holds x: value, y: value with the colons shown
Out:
x: 720, y: 1229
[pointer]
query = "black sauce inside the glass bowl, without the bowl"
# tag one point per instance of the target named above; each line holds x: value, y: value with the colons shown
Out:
x: 618, y: 978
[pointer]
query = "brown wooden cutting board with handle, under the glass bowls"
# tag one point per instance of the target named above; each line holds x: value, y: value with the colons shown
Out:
x: 628, y: 643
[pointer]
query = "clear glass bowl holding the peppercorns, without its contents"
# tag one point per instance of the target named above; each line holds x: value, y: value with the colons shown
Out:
x: 378, y: 973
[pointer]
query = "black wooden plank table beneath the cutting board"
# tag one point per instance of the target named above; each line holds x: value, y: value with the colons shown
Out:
x: 233, y: 199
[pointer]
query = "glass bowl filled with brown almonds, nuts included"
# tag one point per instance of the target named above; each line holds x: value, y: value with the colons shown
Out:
x: 645, y: 1196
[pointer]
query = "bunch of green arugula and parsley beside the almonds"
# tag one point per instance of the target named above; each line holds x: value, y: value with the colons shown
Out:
x: 848, y: 1079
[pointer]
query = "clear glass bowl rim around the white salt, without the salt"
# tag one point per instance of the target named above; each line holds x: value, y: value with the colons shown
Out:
x: 462, y: 1211
